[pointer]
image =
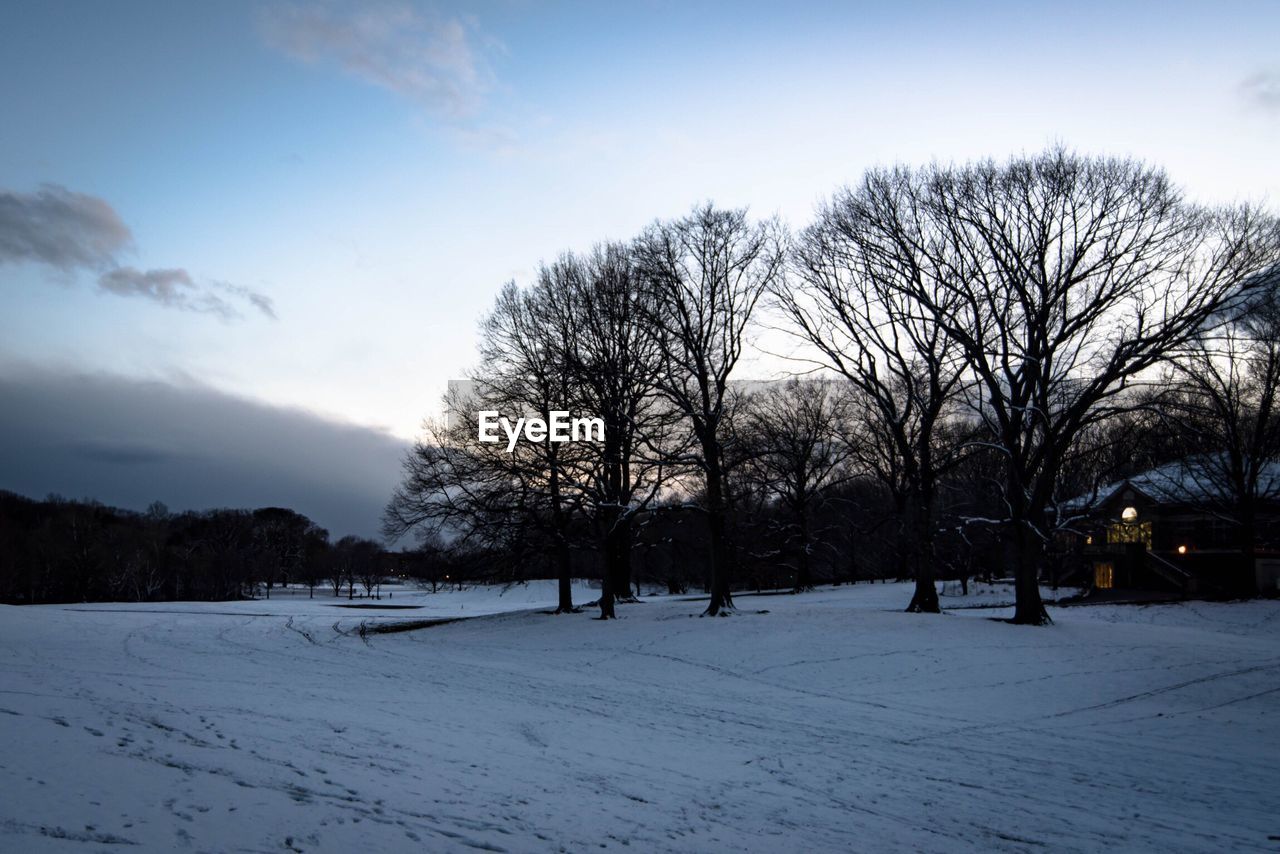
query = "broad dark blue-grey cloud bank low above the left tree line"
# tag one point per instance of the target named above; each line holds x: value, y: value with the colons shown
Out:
x: 130, y: 442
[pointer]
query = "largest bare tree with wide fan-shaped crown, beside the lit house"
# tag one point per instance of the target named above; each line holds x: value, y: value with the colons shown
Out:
x: 1064, y: 278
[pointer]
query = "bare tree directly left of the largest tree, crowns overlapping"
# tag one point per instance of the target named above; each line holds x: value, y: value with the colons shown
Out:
x: 854, y: 296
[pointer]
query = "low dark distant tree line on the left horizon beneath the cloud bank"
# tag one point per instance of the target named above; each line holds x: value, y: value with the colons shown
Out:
x: 79, y: 551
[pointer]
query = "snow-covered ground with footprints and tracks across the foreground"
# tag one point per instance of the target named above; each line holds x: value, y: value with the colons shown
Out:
x: 828, y: 721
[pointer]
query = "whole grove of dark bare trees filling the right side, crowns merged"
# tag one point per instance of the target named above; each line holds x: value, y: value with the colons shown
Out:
x: 975, y: 346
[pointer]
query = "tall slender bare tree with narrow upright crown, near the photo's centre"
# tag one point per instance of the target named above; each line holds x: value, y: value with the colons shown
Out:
x: 705, y: 275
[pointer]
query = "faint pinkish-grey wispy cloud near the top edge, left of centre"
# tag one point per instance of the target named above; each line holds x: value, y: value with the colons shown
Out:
x: 423, y: 57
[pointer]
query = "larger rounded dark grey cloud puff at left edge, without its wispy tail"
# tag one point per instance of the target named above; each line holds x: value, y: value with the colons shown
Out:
x: 61, y: 229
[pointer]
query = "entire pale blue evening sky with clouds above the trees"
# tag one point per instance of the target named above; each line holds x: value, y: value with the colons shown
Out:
x: 304, y: 211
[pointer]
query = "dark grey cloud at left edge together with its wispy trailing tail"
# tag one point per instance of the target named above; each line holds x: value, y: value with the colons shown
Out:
x: 72, y: 232
